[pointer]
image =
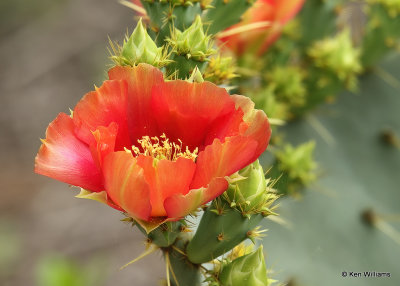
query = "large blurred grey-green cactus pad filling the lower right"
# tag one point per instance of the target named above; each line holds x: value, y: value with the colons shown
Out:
x: 327, y: 230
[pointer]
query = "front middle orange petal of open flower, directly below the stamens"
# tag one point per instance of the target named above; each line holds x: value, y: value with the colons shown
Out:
x: 166, y: 178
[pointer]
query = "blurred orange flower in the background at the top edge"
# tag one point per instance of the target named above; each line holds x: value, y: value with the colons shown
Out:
x: 257, y: 40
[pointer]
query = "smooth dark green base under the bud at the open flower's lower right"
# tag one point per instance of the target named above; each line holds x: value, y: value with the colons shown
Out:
x: 221, y: 228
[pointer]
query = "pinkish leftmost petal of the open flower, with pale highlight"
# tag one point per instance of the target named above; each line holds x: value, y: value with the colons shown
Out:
x: 64, y: 157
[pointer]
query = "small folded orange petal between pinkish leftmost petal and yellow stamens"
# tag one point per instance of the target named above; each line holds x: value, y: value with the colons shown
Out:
x: 103, y: 142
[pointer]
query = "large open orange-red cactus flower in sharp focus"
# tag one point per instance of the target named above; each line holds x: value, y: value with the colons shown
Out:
x: 159, y: 149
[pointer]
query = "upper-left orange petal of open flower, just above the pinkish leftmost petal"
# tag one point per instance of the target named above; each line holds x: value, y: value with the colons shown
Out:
x: 100, y: 108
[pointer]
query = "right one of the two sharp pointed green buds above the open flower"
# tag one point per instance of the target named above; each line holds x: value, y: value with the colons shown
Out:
x: 193, y: 42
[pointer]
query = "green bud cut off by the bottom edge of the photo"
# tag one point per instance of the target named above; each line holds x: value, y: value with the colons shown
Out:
x: 249, y: 270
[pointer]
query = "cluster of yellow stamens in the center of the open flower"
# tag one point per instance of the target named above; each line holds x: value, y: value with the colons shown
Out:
x: 162, y: 148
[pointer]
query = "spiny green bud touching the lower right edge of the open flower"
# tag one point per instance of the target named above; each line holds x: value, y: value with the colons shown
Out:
x: 248, y: 191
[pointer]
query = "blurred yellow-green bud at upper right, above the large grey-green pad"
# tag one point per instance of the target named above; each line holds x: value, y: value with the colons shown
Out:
x: 338, y: 56
